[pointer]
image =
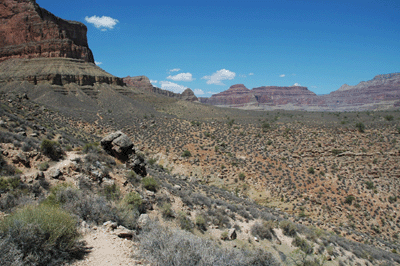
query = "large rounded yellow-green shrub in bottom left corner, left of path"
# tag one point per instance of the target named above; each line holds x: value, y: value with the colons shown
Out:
x: 39, y: 235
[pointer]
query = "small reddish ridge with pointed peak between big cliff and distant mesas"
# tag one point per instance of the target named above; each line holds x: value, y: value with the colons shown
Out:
x: 143, y: 83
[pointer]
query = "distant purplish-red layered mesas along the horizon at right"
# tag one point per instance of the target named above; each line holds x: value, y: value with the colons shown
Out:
x: 382, y: 92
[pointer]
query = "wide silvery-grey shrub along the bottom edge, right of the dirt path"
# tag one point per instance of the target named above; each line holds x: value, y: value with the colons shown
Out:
x: 166, y: 247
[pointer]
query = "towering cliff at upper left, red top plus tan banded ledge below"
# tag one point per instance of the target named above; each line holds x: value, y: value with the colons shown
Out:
x: 38, y: 47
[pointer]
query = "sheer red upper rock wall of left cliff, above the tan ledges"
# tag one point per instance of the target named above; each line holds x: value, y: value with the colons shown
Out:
x: 29, y: 31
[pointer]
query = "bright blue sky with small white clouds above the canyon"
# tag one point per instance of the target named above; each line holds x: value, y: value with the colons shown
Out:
x: 210, y: 45
